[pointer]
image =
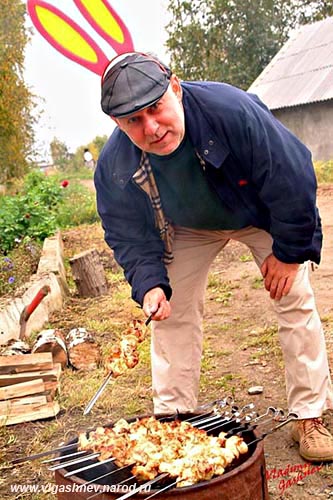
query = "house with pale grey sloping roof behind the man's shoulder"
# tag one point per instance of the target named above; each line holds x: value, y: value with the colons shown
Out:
x: 297, y: 86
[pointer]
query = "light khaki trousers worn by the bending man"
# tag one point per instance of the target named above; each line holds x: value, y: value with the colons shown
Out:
x: 177, y: 342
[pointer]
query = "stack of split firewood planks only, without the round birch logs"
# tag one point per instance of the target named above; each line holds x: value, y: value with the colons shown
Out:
x: 28, y: 387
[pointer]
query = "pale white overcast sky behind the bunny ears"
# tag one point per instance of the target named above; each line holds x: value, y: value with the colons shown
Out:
x: 69, y: 94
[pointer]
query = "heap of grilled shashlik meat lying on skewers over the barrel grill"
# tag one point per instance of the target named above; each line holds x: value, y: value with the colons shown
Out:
x: 153, y: 447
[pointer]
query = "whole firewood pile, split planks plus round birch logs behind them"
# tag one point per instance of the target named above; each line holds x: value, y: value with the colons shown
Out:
x: 30, y: 376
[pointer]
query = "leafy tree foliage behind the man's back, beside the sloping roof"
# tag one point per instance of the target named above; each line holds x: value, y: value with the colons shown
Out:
x: 233, y: 40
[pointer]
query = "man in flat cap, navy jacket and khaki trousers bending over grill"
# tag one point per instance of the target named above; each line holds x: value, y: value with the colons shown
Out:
x: 189, y: 167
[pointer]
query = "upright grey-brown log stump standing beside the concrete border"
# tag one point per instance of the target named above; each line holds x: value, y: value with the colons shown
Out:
x: 88, y: 273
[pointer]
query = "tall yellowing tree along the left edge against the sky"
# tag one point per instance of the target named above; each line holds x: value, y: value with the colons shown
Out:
x: 16, y: 101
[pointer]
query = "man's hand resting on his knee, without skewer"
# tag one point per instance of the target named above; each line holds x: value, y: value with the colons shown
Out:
x: 278, y: 276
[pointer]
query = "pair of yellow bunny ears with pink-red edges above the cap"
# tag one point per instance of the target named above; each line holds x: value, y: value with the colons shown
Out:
x: 72, y: 41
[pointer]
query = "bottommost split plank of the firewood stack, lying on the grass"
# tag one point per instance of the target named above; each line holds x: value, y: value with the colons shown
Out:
x: 30, y: 412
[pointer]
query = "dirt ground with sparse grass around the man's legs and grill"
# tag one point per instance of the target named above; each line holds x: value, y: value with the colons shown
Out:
x: 240, y: 351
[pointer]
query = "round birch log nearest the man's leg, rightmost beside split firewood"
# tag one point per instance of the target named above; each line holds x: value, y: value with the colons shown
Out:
x: 83, y: 351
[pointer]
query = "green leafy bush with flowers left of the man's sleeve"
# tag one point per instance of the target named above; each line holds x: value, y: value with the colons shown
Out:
x: 43, y: 205
